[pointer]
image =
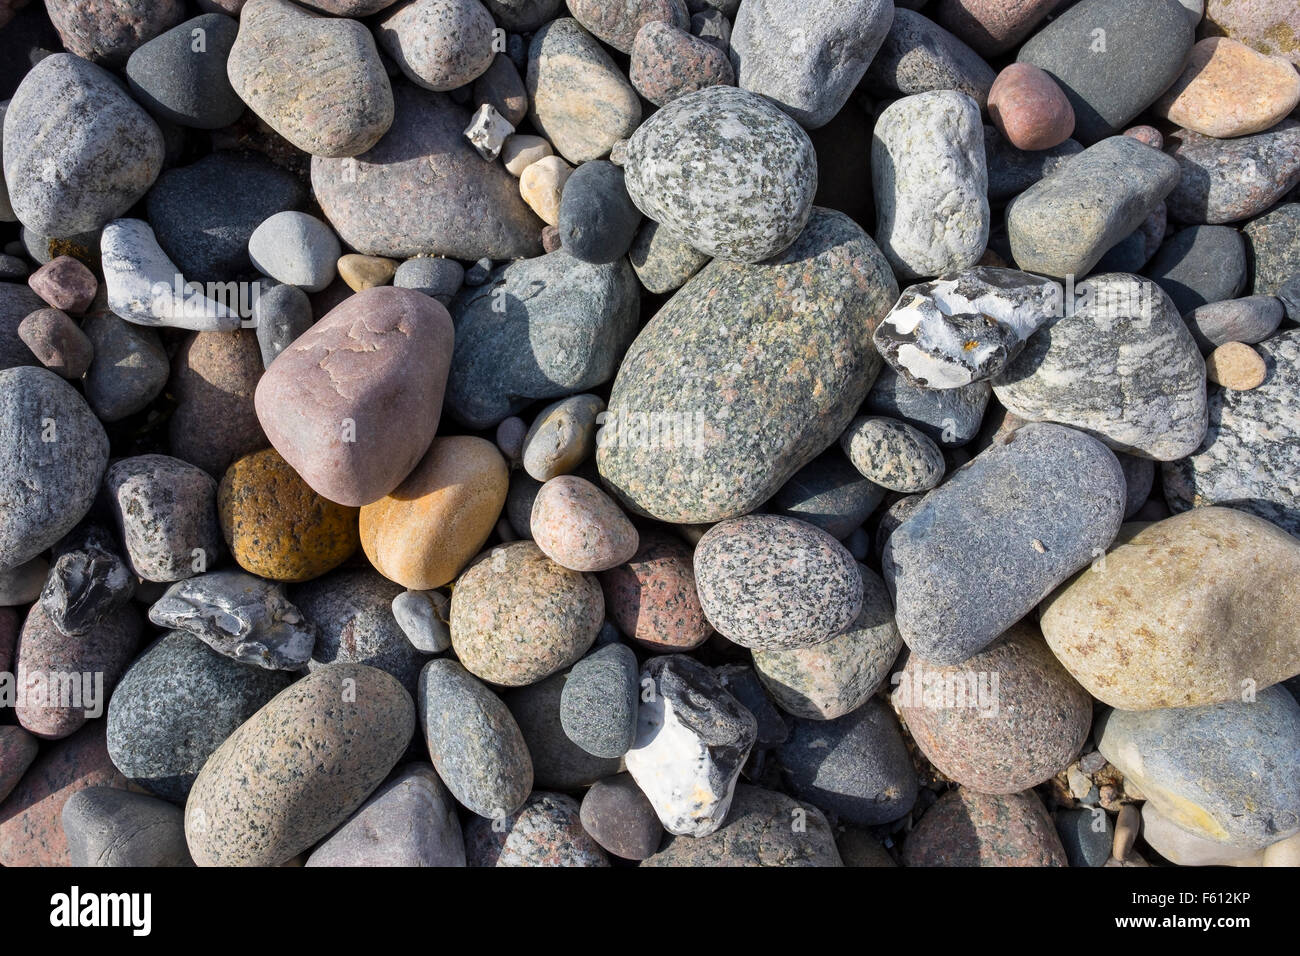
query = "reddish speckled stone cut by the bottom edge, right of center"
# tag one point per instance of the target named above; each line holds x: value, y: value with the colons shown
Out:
x: 970, y: 829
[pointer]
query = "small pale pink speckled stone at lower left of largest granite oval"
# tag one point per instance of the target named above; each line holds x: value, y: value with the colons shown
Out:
x: 579, y: 527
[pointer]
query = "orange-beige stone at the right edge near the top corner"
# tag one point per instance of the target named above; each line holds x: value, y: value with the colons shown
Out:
x: 1230, y: 90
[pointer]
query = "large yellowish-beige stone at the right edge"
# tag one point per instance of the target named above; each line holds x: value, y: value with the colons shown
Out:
x: 1182, y: 612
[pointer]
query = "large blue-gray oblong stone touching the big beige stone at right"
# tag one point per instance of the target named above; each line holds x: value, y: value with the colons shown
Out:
x: 1012, y: 526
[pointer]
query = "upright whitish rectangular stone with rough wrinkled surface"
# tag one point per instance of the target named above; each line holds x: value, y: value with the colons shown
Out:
x: 931, y: 184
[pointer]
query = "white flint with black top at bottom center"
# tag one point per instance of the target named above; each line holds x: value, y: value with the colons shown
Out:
x: 692, y: 741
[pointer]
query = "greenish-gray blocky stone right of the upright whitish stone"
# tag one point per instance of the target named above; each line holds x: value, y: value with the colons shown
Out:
x: 1065, y: 223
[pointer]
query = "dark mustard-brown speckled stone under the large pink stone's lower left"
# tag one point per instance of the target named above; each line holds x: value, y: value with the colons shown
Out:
x: 276, y: 526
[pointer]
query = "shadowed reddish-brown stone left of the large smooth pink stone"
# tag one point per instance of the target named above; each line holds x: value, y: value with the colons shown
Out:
x: 214, y: 379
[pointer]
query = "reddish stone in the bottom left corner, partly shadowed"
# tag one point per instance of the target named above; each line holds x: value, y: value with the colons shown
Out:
x: 32, y: 827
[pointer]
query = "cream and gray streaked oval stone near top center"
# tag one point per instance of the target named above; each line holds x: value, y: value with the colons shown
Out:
x: 579, y: 98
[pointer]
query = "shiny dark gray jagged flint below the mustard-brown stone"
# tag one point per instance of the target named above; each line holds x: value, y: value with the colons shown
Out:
x: 240, y: 616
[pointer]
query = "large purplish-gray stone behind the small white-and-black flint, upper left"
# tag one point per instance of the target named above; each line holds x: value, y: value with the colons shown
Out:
x: 424, y: 191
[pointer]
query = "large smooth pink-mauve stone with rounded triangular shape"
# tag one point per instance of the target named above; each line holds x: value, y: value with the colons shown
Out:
x: 354, y: 404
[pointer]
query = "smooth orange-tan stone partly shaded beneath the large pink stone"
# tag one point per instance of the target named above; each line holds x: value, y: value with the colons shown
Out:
x: 440, y: 517
